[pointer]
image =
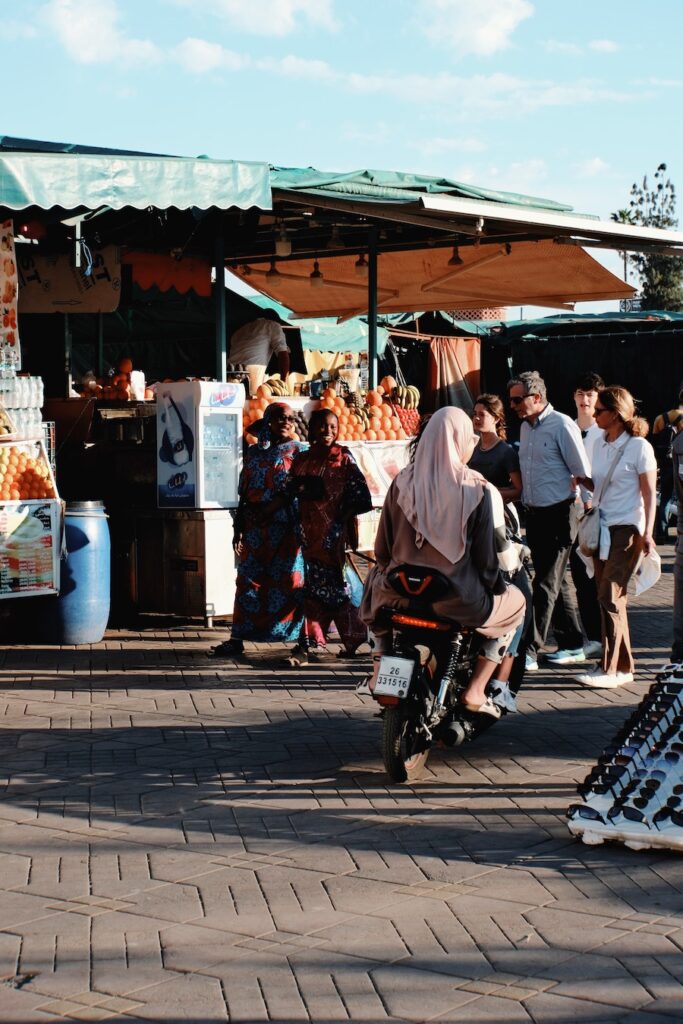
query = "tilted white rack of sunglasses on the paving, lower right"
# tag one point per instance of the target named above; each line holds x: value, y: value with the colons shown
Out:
x: 634, y: 795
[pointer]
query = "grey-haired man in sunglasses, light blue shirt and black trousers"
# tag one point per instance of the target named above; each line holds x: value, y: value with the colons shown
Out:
x: 553, y: 461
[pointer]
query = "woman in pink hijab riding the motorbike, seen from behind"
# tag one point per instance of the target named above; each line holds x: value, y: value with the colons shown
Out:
x: 441, y: 515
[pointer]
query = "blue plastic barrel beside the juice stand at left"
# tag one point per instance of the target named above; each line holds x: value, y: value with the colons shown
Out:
x: 81, y: 612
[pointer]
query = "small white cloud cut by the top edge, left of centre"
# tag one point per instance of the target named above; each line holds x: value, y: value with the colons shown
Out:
x: 272, y: 18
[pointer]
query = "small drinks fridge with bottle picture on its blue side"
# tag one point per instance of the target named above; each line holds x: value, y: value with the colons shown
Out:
x: 199, y: 445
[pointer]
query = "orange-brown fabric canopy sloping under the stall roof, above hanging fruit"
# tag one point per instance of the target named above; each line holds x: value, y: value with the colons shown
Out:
x: 542, y: 274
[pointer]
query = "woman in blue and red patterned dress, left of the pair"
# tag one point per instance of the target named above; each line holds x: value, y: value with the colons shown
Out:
x: 269, y: 603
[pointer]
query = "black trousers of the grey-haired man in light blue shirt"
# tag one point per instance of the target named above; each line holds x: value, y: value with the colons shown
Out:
x: 550, y: 535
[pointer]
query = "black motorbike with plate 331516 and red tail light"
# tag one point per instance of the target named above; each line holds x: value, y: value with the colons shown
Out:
x: 420, y: 680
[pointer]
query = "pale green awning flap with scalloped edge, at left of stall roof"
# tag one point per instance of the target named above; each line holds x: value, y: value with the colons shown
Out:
x: 77, y: 182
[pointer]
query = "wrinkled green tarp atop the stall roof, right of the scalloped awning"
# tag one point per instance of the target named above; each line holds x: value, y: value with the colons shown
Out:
x: 389, y: 187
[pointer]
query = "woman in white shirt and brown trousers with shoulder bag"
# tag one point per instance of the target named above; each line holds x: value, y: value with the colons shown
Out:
x: 627, y: 507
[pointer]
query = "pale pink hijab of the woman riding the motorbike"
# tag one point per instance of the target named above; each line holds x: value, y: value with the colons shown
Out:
x: 439, y: 492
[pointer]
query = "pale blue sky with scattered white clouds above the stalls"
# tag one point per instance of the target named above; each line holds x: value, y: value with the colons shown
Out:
x: 570, y: 102
